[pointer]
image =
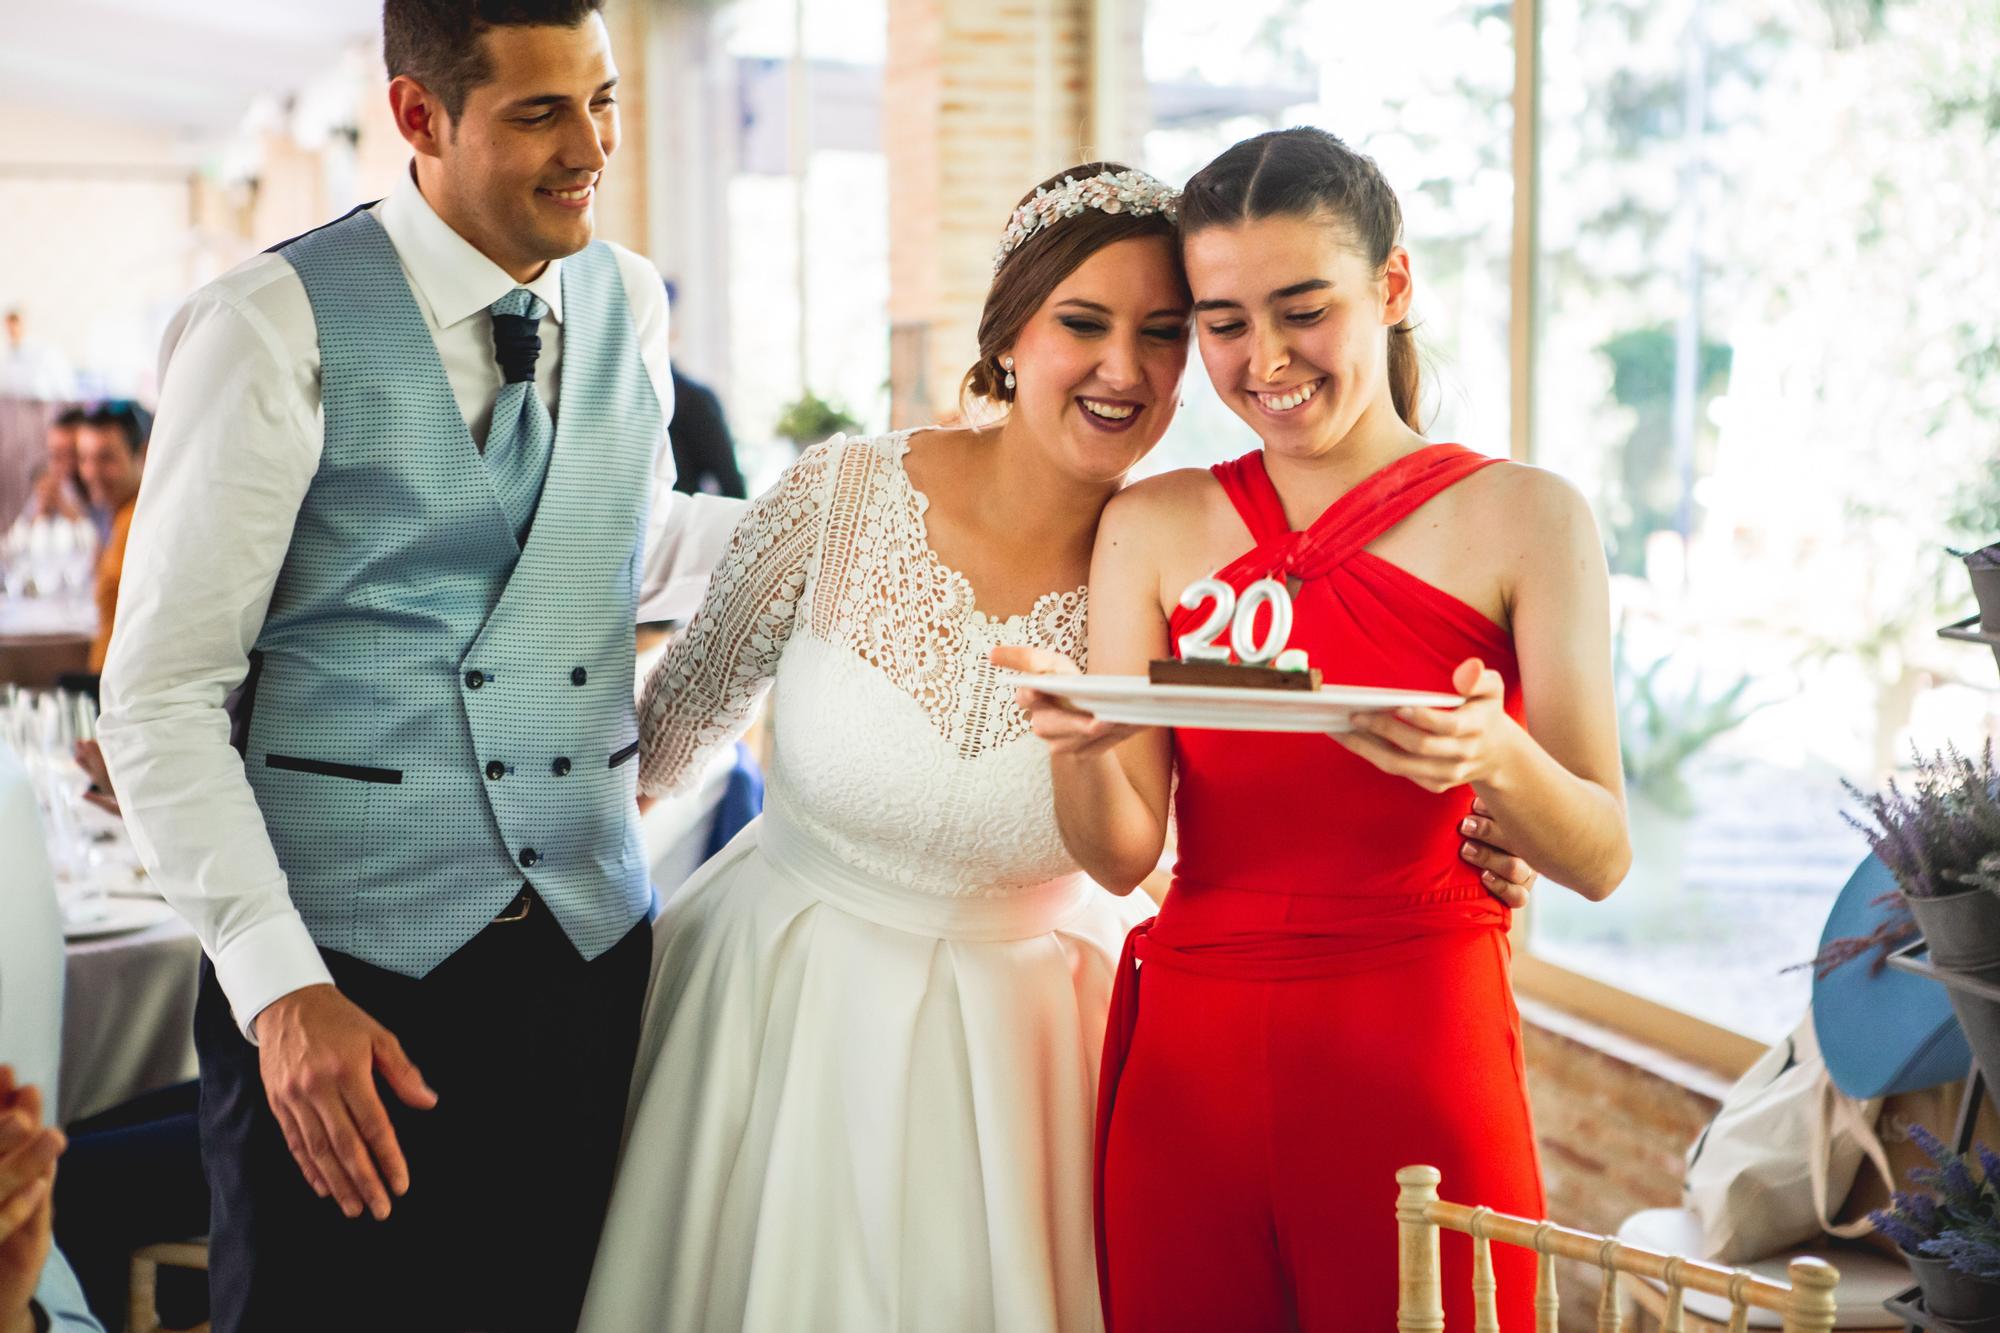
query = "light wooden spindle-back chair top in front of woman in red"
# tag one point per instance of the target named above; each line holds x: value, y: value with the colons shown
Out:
x: 1805, y: 1304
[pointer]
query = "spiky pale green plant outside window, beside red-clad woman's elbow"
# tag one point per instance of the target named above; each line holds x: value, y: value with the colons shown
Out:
x: 1661, y: 730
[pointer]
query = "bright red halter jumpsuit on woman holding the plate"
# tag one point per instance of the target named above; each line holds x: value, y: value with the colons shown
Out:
x: 1327, y: 986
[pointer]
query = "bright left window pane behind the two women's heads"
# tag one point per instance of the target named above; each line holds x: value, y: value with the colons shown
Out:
x: 1435, y: 115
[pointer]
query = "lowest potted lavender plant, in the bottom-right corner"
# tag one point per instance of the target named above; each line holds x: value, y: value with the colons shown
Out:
x: 1951, y: 1236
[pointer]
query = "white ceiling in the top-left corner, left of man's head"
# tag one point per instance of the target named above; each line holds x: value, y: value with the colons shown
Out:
x: 179, y: 67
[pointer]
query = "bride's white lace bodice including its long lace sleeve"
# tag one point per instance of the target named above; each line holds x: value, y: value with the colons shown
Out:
x: 897, y: 746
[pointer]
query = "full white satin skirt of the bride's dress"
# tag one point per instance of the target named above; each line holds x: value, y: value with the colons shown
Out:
x: 861, y: 1108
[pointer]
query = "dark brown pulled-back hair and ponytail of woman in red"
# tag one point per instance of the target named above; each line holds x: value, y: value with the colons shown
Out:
x: 1307, y: 173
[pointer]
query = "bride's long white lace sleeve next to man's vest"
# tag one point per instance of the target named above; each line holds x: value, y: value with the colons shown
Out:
x: 705, y: 692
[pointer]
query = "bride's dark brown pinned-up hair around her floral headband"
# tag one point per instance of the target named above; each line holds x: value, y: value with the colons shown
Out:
x: 1037, y: 265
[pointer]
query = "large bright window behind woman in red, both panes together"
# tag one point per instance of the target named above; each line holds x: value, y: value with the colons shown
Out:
x: 1765, y: 345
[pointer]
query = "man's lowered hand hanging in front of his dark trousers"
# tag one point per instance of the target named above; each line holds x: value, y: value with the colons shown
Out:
x: 321, y: 1058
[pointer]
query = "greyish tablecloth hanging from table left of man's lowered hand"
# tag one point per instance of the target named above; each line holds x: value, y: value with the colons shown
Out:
x: 127, y: 1018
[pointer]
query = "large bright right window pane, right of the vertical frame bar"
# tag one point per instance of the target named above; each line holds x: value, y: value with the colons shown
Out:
x: 1769, y: 351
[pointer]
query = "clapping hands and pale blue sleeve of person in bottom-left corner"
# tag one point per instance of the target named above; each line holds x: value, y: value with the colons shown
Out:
x: 37, y: 1288
